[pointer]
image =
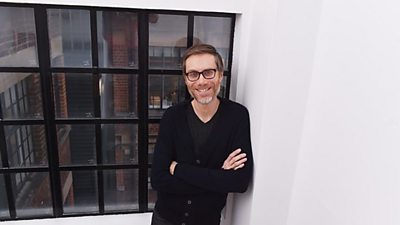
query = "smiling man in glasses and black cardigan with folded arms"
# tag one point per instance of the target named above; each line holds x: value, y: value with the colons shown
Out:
x: 203, y: 149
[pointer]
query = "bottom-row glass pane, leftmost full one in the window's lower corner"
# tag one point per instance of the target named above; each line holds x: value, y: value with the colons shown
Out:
x: 32, y: 194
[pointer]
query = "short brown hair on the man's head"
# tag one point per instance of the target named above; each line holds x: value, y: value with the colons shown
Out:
x: 203, y: 49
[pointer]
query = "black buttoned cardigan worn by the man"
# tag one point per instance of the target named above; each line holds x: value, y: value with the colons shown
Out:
x: 196, y: 193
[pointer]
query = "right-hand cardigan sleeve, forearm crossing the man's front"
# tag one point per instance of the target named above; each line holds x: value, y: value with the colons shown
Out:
x: 220, y: 180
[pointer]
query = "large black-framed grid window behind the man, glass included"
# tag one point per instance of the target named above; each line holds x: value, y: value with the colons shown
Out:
x: 82, y: 92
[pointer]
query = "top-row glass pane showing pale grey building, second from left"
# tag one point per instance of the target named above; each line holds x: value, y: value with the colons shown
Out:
x: 69, y: 36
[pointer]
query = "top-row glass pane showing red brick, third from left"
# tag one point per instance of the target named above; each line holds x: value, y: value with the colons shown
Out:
x: 117, y: 34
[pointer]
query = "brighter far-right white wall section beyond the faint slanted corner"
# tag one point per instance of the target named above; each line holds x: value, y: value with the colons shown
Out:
x: 348, y: 171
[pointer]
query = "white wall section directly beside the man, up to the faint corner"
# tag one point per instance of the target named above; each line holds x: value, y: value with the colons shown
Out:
x: 273, y: 84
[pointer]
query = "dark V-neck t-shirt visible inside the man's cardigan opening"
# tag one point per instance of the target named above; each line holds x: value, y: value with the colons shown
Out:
x: 199, y: 130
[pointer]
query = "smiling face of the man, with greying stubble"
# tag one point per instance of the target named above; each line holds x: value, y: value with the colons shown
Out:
x: 204, y: 91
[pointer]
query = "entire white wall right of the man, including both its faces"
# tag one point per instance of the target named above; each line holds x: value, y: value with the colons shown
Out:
x: 321, y: 80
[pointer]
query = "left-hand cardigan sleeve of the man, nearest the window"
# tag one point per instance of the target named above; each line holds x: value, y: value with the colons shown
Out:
x: 161, y: 179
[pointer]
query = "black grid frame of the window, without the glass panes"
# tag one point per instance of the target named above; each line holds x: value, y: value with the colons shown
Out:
x: 49, y: 121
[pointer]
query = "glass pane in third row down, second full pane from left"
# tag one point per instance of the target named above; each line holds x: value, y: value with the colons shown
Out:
x: 76, y: 144
